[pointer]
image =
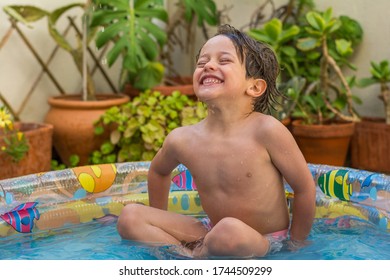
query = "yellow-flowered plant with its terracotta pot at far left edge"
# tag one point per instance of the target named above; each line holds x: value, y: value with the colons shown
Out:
x: 25, y: 148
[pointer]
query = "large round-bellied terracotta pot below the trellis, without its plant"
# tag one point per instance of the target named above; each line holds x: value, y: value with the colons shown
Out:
x: 73, y: 121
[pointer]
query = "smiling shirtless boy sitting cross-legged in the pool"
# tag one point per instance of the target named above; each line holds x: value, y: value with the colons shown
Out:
x: 238, y: 158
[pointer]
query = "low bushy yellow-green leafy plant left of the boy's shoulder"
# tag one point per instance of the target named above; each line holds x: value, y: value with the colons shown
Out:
x: 142, y: 125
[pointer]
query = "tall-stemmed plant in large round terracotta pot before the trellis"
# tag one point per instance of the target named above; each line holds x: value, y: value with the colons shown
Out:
x: 70, y: 113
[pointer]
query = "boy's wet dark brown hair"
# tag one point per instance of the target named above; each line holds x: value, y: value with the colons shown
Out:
x: 260, y: 63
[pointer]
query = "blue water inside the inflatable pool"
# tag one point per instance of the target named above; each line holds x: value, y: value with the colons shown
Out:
x: 329, y: 240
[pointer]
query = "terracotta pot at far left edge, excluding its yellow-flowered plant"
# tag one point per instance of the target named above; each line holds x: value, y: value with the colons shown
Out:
x: 38, y: 157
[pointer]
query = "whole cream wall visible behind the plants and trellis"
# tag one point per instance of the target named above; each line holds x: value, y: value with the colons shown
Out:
x: 19, y: 69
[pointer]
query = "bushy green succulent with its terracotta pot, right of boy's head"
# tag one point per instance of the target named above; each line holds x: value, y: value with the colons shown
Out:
x: 321, y: 103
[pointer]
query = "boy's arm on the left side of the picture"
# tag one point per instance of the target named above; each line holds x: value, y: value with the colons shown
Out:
x: 159, y: 175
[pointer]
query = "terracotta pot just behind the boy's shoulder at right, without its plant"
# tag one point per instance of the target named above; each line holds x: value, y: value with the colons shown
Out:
x: 324, y: 144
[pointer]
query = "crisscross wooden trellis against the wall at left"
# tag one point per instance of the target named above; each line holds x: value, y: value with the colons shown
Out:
x: 44, y: 64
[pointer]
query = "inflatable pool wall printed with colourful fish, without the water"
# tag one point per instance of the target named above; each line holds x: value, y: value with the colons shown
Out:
x: 52, y: 201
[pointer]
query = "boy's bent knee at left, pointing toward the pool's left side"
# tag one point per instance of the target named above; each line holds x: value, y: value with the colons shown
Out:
x: 129, y: 219
